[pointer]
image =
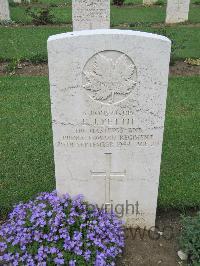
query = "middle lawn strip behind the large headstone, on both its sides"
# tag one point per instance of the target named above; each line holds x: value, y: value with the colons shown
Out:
x: 29, y: 43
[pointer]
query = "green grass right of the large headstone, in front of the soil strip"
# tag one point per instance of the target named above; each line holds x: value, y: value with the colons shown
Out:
x: 180, y: 169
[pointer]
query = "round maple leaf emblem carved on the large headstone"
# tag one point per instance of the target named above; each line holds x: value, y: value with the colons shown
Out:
x: 109, y: 79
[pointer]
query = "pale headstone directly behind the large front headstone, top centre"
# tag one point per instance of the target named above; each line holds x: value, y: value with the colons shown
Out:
x: 90, y: 14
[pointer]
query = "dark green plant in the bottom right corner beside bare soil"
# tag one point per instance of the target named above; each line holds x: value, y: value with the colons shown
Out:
x: 190, y: 238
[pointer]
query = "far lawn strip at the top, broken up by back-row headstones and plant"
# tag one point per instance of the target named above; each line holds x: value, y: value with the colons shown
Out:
x: 155, y: 14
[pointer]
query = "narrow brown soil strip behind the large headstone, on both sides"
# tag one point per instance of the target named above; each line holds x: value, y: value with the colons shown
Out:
x: 29, y: 69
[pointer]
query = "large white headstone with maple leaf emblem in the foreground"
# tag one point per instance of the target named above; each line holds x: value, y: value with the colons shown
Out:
x: 108, y: 95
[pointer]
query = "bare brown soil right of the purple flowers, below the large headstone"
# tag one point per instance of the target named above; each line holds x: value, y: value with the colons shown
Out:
x: 157, y: 247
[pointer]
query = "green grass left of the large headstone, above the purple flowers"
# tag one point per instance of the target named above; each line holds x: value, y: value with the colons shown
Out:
x: 26, y: 140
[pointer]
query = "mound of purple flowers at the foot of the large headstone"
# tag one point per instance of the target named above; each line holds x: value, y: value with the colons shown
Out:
x: 54, y: 230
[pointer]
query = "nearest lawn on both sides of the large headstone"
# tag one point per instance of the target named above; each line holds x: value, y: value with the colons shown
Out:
x: 26, y: 142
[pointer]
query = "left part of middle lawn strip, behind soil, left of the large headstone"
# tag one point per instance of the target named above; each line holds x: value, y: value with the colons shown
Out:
x: 26, y: 43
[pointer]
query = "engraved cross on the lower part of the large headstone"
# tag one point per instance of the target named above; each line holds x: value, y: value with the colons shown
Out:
x: 109, y: 175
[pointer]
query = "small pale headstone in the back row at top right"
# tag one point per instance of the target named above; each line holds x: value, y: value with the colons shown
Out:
x: 177, y: 11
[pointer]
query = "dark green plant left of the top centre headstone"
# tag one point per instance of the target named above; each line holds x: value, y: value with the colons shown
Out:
x: 40, y: 16
